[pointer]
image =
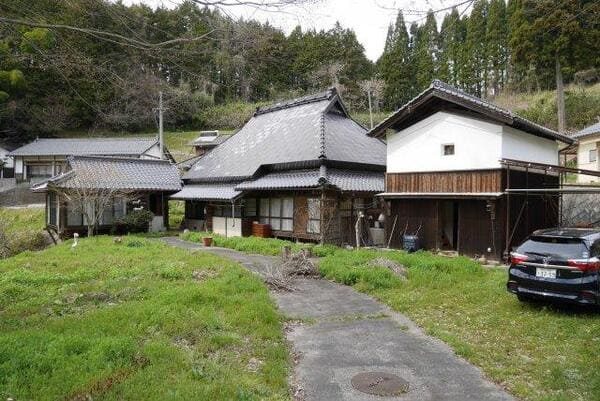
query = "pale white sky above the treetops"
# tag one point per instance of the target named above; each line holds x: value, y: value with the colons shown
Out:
x: 368, y: 18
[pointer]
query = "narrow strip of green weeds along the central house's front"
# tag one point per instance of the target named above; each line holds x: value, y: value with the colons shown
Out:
x: 259, y: 246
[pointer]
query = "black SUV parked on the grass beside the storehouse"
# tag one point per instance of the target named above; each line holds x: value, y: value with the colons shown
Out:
x: 560, y: 264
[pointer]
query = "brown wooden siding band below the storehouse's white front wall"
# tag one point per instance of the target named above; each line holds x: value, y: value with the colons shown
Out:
x: 446, y: 181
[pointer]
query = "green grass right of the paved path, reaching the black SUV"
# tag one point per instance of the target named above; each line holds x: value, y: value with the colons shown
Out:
x: 537, y: 352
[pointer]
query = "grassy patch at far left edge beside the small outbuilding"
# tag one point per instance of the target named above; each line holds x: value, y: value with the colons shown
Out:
x: 23, y: 227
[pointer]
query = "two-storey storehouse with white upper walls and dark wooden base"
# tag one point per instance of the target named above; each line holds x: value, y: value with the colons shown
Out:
x: 461, y: 172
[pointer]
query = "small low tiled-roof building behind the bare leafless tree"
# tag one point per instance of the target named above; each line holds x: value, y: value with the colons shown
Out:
x: 118, y: 184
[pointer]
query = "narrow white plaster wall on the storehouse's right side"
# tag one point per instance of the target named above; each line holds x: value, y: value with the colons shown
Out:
x: 519, y: 145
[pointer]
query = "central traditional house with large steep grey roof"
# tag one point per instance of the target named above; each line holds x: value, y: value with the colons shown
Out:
x: 303, y: 167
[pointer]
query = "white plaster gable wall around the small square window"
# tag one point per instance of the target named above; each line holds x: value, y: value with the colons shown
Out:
x: 477, y: 145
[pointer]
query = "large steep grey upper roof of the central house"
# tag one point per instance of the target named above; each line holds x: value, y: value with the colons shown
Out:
x: 299, y: 133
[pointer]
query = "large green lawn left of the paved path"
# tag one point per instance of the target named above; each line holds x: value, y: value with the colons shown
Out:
x: 136, y: 321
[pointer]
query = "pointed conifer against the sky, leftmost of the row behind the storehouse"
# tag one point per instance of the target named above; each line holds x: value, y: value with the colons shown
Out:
x: 393, y: 66
